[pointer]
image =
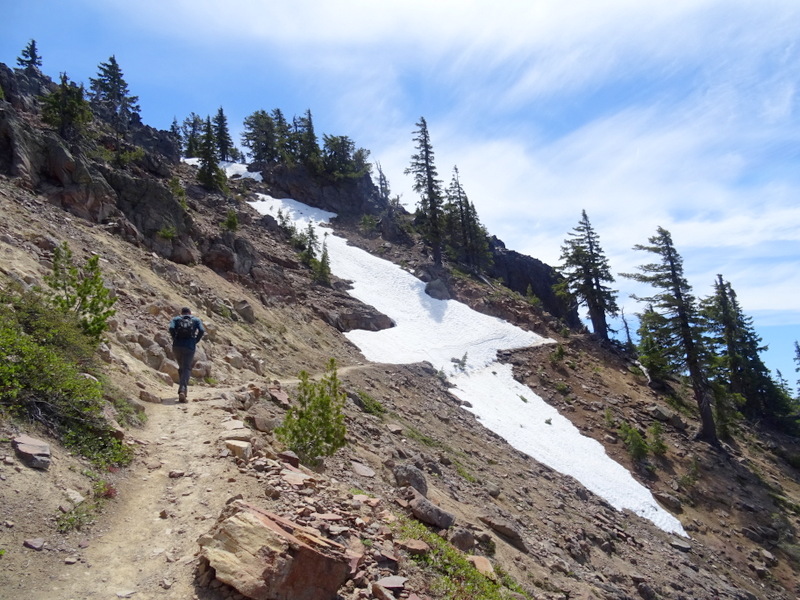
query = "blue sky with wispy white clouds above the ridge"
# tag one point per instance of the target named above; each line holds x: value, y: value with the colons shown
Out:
x: 681, y: 114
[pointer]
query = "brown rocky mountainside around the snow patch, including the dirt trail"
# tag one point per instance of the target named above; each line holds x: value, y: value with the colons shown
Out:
x: 209, y: 477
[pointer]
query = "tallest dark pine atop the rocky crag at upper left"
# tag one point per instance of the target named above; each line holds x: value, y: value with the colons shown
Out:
x: 111, y: 99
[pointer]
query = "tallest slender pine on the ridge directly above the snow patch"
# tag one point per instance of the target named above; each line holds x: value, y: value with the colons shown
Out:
x: 428, y: 185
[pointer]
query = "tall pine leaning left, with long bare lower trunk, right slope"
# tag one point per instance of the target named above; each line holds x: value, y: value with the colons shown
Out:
x: 679, y: 331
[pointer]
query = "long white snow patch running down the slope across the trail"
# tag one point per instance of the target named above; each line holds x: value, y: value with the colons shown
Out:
x: 438, y: 331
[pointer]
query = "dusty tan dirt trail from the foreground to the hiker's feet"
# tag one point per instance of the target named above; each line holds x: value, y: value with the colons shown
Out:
x: 144, y: 543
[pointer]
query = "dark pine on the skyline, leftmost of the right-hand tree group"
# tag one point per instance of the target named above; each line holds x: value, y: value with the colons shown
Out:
x: 586, y: 271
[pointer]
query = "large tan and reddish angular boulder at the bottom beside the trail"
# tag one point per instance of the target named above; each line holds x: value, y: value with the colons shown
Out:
x: 266, y: 557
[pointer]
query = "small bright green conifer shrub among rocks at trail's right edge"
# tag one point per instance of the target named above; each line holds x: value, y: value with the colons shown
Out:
x: 314, y: 427
